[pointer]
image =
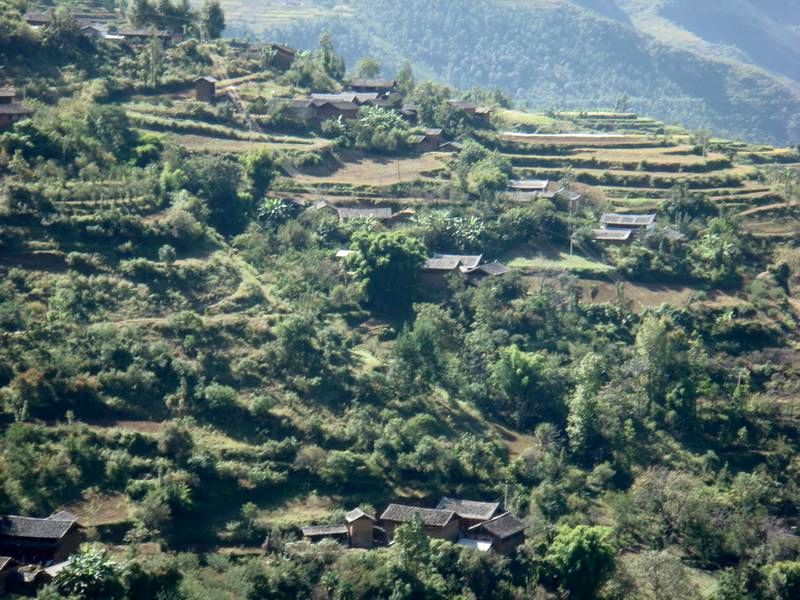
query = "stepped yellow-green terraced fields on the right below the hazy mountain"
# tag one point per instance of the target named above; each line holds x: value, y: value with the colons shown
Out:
x: 636, y: 171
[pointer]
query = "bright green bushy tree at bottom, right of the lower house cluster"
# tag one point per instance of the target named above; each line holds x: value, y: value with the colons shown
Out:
x: 582, y: 559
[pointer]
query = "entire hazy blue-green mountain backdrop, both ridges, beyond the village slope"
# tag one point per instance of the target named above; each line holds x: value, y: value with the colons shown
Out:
x: 582, y: 55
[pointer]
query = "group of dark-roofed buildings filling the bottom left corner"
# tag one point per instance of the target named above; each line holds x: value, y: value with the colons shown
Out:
x: 33, y: 551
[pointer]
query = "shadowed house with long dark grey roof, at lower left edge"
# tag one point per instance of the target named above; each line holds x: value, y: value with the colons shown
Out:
x: 31, y: 540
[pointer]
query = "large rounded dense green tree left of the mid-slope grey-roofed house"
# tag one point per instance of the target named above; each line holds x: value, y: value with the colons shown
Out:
x: 388, y: 266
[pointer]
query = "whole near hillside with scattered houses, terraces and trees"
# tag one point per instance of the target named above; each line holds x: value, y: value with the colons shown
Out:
x: 247, y: 288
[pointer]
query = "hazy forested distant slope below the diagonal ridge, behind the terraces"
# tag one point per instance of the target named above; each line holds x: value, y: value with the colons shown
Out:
x: 557, y: 54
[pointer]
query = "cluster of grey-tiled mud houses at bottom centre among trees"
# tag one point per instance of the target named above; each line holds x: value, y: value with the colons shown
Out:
x: 479, y: 525
